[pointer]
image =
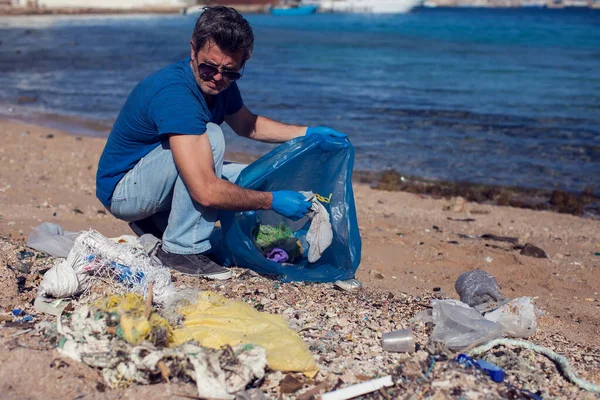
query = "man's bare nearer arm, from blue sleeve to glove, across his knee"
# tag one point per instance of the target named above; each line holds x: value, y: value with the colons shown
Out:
x: 194, y: 159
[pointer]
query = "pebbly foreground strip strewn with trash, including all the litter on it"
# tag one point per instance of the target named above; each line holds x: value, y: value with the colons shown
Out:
x: 338, y: 344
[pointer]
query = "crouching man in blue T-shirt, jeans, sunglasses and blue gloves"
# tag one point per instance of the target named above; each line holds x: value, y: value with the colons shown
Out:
x: 163, y: 162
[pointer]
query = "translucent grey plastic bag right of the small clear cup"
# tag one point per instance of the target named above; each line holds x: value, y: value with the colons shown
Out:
x: 459, y: 326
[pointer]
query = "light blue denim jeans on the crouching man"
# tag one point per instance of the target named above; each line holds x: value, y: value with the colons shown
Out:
x: 154, y: 188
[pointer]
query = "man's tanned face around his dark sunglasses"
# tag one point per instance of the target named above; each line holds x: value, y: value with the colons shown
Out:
x: 212, y: 55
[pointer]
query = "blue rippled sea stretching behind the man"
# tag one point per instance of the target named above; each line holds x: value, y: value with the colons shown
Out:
x: 507, y: 97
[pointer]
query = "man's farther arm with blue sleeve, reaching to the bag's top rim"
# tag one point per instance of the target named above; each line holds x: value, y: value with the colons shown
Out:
x: 263, y: 129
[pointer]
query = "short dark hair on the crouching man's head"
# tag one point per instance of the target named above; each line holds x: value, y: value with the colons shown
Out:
x: 226, y: 28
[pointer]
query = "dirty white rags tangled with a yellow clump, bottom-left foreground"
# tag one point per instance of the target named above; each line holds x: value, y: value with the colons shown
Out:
x: 129, y: 343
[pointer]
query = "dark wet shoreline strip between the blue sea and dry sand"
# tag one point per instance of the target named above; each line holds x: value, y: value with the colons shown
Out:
x: 585, y: 204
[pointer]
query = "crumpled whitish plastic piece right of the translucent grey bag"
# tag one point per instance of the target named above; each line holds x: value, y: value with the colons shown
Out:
x: 517, y: 317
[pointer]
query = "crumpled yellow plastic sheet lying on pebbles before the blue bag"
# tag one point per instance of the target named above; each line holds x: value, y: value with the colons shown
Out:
x: 215, y: 321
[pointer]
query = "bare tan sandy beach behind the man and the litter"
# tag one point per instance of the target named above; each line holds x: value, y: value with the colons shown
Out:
x: 412, y: 244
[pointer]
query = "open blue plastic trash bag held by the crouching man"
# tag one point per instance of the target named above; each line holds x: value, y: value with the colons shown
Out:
x: 319, y: 164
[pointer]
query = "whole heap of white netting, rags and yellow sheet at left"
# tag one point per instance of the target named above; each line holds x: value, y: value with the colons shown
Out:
x: 130, y: 341
